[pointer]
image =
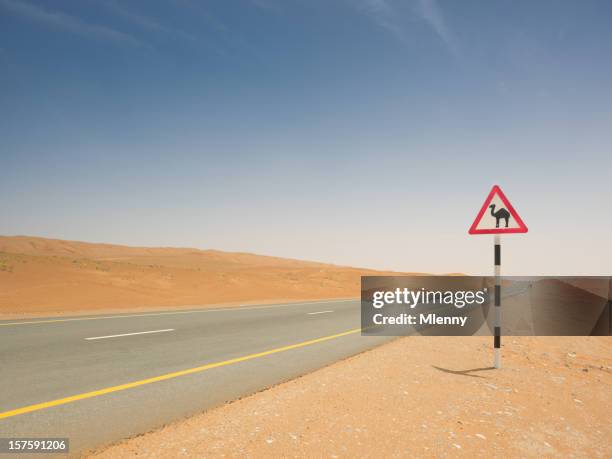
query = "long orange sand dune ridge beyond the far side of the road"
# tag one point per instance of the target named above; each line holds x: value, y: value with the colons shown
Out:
x: 48, y: 276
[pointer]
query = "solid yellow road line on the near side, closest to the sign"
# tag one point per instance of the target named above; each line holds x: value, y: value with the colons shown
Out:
x: 176, y: 374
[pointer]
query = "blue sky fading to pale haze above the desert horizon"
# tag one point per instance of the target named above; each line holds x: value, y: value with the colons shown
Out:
x: 358, y: 132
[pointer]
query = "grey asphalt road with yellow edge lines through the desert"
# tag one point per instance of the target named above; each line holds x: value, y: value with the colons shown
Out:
x: 99, y: 379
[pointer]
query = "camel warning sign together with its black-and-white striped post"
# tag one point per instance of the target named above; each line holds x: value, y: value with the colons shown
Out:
x: 501, y: 221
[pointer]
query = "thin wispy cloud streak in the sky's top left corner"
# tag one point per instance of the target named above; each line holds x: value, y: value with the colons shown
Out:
x: 70, y: 23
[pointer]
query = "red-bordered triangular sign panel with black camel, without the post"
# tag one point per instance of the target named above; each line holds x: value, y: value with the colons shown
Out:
x: 497, y: 216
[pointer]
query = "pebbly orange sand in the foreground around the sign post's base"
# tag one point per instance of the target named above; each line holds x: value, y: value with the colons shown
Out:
x: 416, y: 397
